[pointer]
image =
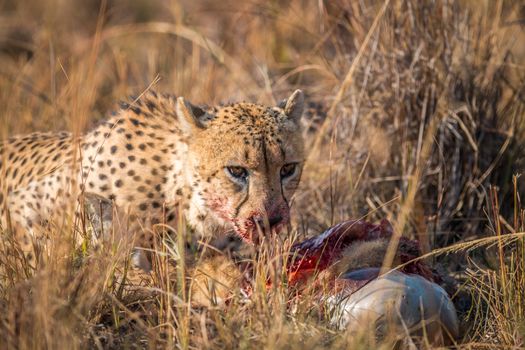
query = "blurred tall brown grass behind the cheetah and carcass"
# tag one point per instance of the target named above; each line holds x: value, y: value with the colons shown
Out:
x: 415, y: 108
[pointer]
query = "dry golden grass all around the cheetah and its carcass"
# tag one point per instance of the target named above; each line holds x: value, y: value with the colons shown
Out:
x: 419, y: 110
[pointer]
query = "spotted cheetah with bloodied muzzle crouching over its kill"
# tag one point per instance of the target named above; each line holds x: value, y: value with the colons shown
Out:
x: 229, y: 168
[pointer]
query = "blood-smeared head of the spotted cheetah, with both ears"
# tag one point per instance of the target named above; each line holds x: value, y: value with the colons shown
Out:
x: 245, y: 162
